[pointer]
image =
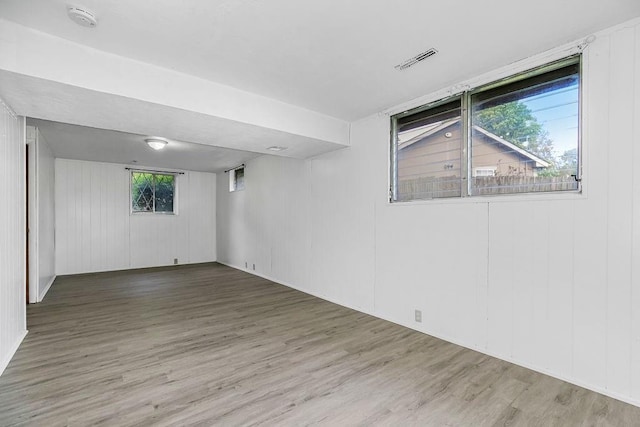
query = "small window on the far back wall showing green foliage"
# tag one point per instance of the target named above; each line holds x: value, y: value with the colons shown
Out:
x: 153, y: 192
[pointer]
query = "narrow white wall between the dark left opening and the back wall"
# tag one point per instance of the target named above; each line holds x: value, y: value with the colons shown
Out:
x: 41, y: 216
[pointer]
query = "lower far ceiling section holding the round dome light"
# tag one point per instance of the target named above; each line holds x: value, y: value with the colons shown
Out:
x: 85, y: 143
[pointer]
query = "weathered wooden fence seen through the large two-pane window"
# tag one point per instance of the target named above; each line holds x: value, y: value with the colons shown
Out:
x: 428, y: 188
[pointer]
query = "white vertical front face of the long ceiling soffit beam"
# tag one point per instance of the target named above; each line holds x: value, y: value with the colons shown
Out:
x: 32, y: 53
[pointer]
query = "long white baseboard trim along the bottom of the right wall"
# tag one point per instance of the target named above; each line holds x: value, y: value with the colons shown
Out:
x: 569, y: 379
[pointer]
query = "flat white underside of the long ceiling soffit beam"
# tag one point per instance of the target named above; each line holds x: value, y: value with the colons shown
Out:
x: 58, y: 102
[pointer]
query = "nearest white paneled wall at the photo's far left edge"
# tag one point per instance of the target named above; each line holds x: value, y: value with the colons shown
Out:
x: 13, y: 325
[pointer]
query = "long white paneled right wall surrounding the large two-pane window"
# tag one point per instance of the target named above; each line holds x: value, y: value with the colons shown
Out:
x: 550, y: 282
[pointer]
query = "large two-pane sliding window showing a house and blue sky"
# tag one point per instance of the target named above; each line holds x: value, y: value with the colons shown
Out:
x: 519, y: 135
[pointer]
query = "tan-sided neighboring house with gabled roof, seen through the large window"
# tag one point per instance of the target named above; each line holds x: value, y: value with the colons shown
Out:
x: 433, y: 151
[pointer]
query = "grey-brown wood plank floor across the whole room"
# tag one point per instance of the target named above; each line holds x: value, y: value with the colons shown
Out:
x: 210, y: 345
